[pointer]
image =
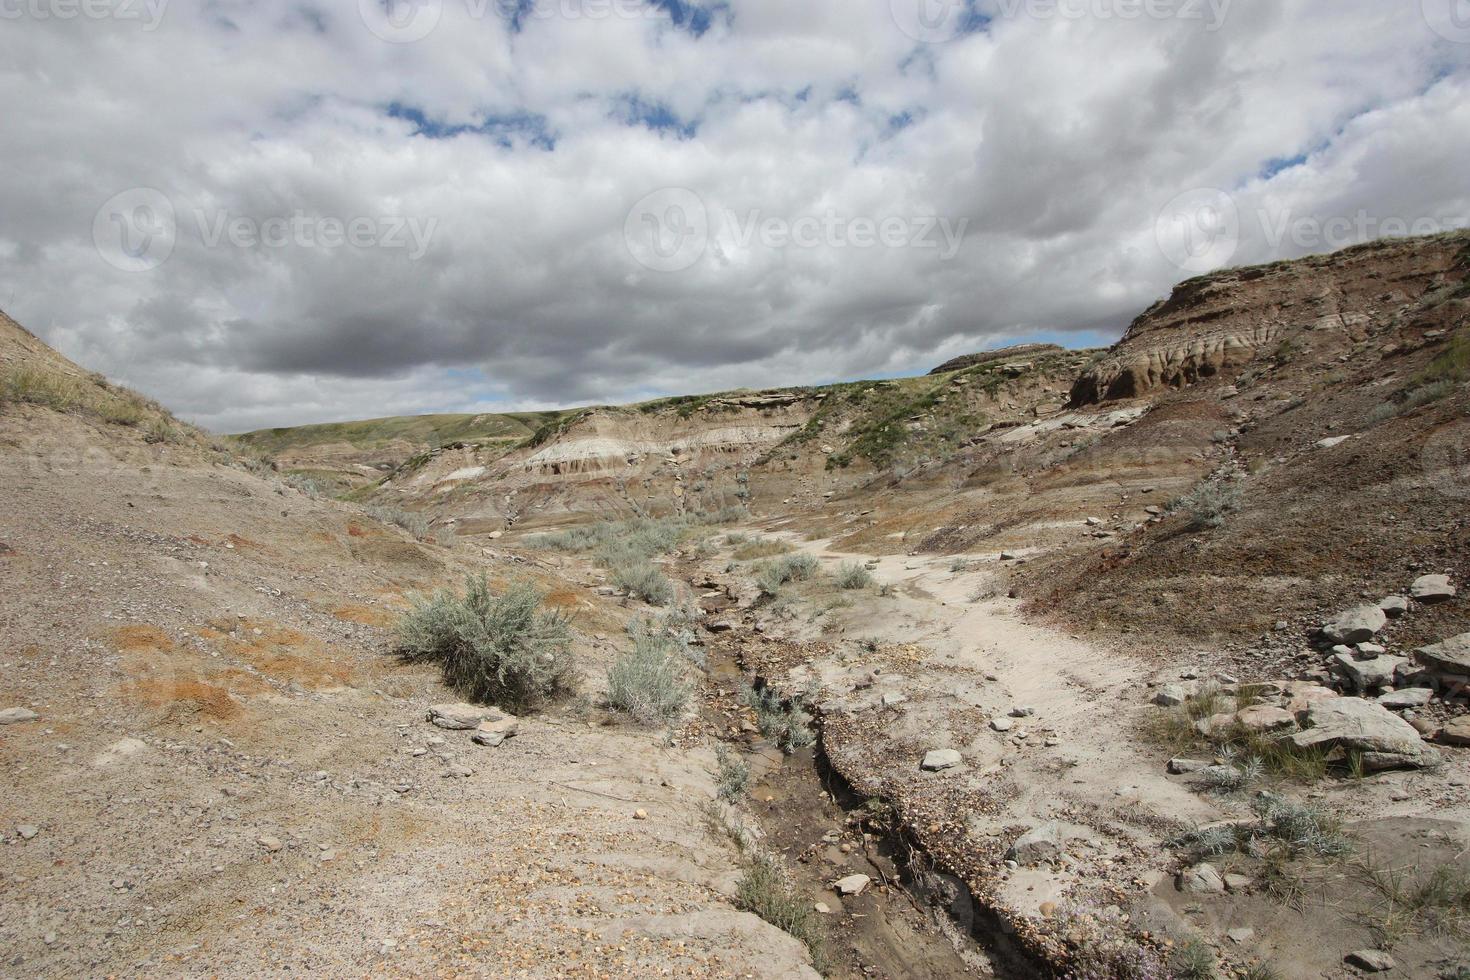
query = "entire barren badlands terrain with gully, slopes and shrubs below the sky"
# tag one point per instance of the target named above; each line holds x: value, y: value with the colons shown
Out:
x: 1141, y: 662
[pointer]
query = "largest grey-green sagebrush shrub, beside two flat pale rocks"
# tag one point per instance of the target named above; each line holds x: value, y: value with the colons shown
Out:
x: 503, y: 650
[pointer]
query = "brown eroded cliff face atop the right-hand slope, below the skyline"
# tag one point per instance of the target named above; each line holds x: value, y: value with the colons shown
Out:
x: 1219, y: 324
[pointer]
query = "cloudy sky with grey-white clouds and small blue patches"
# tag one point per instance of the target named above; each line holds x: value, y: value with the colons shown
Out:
x: 273, y: 212
